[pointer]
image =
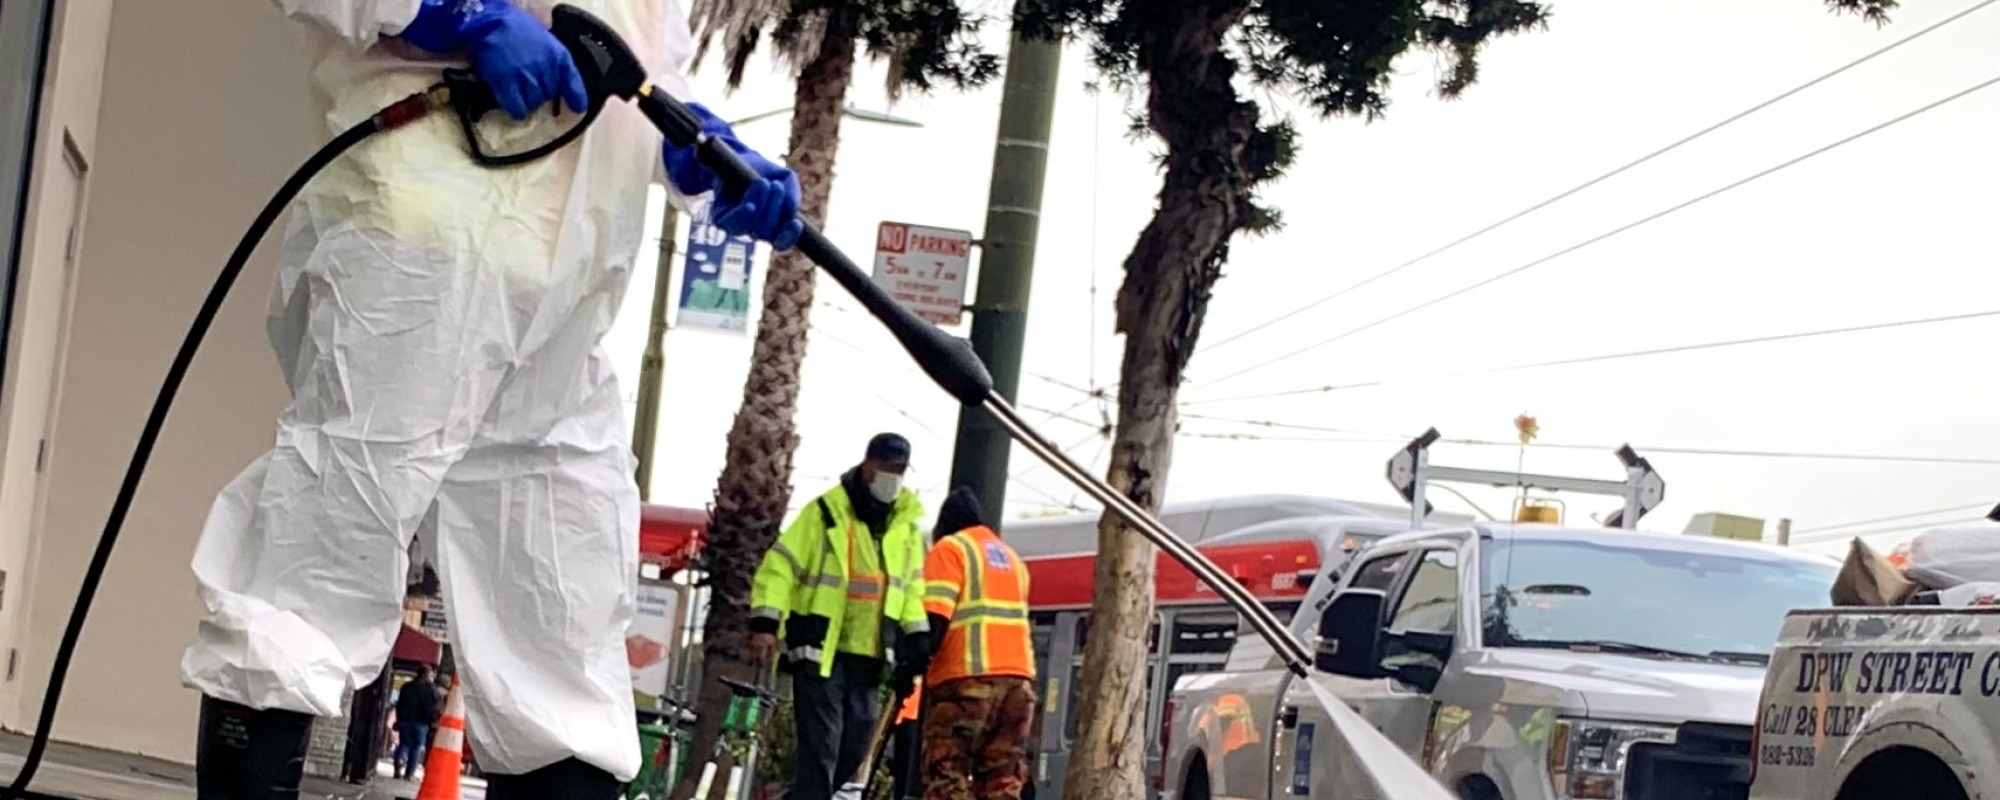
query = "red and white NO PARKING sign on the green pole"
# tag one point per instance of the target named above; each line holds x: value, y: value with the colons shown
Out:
x: 925, y: 269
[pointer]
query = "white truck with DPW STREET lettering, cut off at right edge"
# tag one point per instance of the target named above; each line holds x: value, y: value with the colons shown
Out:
x: 1883, y: 705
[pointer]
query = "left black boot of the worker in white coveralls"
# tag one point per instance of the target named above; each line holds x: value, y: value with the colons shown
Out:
x: 249, y: 755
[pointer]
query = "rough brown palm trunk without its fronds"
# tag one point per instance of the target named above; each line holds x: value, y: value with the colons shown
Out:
x: 757, y: 477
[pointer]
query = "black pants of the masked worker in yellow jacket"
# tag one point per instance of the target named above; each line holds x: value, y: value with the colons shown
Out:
x: 835, y: 719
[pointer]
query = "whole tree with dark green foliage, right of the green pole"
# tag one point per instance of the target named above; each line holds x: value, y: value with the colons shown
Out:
x: 1191, y: 61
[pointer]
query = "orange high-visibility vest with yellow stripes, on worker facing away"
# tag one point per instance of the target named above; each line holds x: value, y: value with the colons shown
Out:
x: 981, y: 585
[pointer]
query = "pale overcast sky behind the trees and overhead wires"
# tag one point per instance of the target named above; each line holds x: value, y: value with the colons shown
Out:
x: 1899, y: 225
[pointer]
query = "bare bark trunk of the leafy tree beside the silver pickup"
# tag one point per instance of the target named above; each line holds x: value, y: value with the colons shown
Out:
x: 1205, y: 201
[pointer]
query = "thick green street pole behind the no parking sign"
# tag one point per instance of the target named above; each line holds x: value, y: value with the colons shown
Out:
x: 1007, y: 259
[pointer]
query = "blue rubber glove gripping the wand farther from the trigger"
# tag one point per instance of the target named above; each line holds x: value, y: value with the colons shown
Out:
x: 767, y: 211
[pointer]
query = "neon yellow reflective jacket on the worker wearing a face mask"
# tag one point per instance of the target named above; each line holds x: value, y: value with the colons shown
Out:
x: 803, y: 581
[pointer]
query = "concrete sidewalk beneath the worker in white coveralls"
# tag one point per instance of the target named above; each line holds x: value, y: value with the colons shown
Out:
x: 99, y: 775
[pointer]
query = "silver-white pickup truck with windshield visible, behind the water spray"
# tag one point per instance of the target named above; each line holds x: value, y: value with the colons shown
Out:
x: 1595, y: 665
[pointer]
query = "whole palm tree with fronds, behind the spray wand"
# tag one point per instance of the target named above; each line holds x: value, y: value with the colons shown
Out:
x: 925, y: 43
